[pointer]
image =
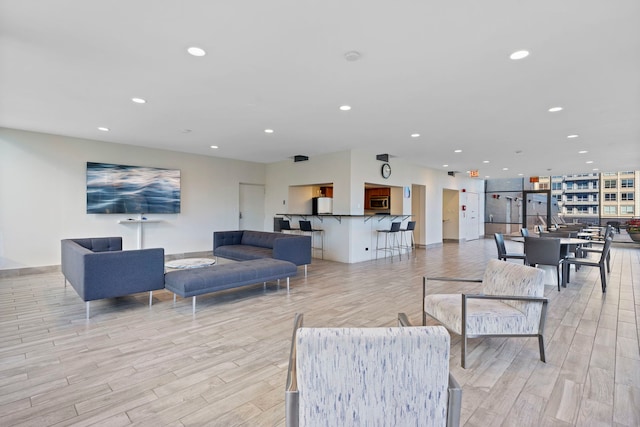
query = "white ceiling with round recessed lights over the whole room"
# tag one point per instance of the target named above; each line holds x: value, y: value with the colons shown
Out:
x: 437, y: 68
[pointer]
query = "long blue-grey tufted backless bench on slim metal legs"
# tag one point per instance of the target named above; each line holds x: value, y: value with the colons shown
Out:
x: 199, y: 281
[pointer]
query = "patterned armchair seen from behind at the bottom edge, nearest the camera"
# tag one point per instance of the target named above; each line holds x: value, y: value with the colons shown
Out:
x: 393, y: 376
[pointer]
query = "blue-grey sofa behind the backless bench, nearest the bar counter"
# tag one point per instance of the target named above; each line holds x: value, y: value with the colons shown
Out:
x: 244, y: 245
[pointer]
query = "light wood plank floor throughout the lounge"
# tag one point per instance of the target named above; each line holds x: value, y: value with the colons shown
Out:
x: 135, y: 365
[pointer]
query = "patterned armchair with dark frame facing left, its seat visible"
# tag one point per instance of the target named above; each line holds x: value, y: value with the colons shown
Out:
x: 509, y: 303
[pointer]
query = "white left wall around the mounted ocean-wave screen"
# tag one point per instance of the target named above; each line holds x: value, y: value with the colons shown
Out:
x: 43, y: 197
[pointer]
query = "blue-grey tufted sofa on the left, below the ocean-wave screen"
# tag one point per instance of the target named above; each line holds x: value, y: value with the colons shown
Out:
x: 98, y: 268
